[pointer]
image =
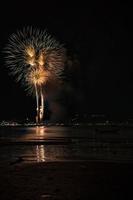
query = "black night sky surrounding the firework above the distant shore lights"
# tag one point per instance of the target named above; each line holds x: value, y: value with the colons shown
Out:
x: 99, y: 72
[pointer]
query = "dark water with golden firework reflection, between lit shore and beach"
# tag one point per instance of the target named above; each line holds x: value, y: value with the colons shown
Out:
x: 41, y: 144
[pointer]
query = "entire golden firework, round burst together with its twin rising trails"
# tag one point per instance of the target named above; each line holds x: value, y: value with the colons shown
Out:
x: 33, y: 57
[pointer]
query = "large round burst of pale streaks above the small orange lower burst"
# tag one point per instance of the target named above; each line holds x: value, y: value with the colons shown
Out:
x: 26, y: 46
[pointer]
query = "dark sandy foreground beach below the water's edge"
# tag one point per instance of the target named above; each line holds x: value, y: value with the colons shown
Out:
x: 66, y: 181
